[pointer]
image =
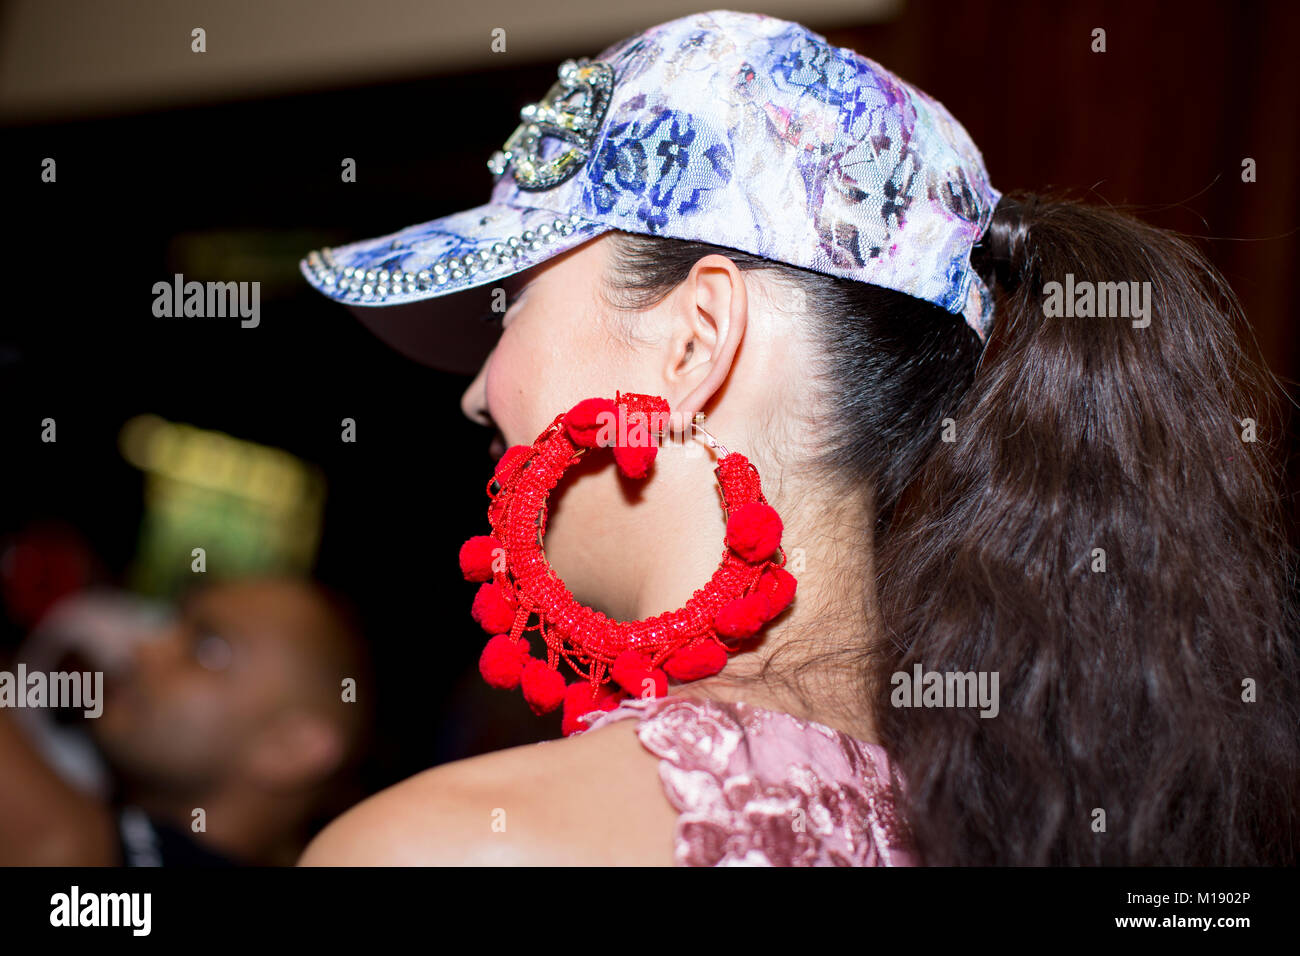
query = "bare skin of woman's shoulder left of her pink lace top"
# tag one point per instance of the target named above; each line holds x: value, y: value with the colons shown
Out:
x: 590, y: 799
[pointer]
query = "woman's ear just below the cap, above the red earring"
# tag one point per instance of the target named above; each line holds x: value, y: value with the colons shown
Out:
x: 709, y: 319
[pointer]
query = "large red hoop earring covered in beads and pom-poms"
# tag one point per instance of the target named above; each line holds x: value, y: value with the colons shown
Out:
x: 747, y: 591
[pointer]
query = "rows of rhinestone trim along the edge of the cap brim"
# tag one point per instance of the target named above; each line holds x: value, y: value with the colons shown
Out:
x: 380, y: 285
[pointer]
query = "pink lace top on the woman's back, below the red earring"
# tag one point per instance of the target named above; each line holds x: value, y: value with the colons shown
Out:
x: 759, y: 788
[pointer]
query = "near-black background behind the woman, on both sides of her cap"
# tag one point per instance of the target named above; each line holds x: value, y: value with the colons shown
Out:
x: 242, y: 191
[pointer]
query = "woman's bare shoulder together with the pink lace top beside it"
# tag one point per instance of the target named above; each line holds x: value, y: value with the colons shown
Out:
x: 691, y: 781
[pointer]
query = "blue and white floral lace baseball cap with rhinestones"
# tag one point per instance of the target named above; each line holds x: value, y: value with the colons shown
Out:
x: 735, y: 129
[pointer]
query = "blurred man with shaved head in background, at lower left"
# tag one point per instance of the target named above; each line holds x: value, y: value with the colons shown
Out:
x: 231, y: 732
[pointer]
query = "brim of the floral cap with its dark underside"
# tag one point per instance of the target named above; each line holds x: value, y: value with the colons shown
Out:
x: 389, y: 283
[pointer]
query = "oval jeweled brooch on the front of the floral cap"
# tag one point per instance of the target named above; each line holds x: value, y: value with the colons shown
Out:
x: 573, y: 111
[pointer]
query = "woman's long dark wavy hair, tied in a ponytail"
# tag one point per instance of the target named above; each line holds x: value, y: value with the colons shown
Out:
x: 1123, y: 690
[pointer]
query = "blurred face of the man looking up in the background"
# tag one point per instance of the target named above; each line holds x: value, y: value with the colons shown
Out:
x: 200, y: 691
